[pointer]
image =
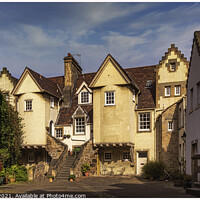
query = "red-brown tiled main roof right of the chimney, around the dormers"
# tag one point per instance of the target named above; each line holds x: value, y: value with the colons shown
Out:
x: 140, y: 75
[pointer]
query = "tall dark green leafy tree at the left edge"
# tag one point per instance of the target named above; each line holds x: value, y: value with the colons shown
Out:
x: 10, y: 133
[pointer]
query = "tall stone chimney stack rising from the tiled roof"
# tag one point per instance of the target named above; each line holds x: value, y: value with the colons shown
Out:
x: 71, y: 71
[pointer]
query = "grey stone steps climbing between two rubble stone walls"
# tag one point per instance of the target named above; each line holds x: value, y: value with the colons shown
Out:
x: 65, y: 170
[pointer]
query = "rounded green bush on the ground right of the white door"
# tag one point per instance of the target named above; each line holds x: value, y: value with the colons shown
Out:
x: 153, y: 169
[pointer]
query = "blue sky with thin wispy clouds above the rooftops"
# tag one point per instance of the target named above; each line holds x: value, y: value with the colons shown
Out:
x: 39, y: 35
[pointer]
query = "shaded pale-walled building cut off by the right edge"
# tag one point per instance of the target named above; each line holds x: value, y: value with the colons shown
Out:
x: 193, y: 111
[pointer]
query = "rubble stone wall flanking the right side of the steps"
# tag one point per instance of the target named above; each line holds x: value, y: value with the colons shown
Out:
x: 89, y: 155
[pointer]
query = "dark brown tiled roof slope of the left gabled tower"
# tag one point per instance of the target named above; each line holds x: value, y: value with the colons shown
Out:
x: 46, y: 84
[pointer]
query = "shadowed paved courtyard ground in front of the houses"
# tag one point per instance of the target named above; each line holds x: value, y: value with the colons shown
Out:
x: 92, y: 187
